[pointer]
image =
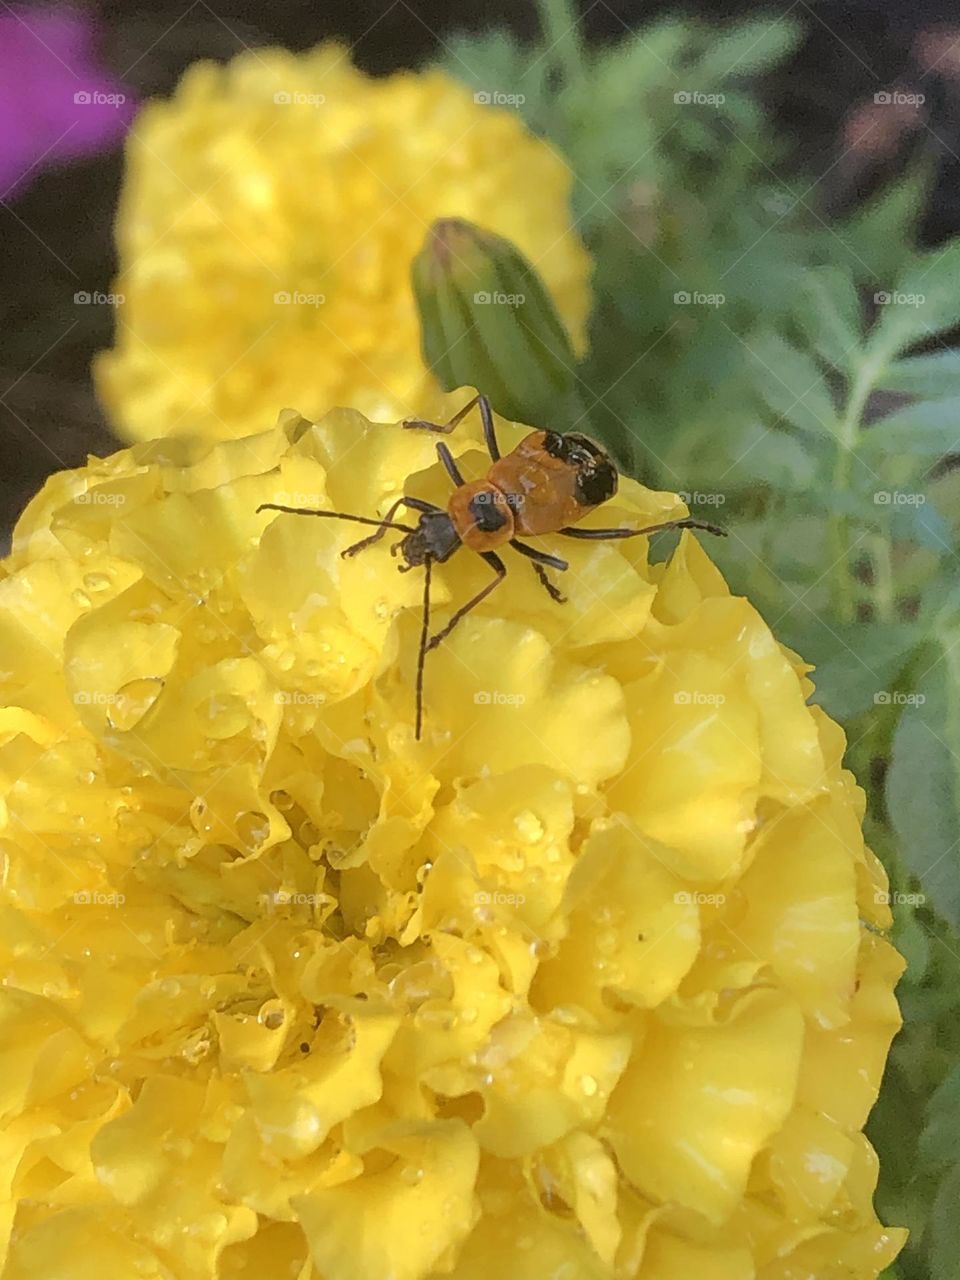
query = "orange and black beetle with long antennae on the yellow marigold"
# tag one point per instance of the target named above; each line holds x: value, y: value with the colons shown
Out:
x: 546, y: 486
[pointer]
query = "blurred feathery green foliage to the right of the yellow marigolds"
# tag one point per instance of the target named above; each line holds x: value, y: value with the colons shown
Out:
x: 794, y: 377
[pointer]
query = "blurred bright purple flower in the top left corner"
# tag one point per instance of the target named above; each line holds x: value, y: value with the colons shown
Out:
x: 56, y: 100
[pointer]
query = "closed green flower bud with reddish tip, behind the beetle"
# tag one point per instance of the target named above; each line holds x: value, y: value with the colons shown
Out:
x: 488, y: 321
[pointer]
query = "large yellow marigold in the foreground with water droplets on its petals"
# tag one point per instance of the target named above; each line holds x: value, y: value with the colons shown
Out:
x: 591, y: 982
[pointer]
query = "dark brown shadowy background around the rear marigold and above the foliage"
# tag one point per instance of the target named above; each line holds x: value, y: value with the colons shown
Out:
x: 49, y: 418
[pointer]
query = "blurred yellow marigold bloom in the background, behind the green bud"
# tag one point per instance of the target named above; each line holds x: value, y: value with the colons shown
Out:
x: 268, y: 225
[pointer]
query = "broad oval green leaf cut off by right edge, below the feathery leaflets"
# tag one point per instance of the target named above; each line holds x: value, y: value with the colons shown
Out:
x: 924, y: 784
